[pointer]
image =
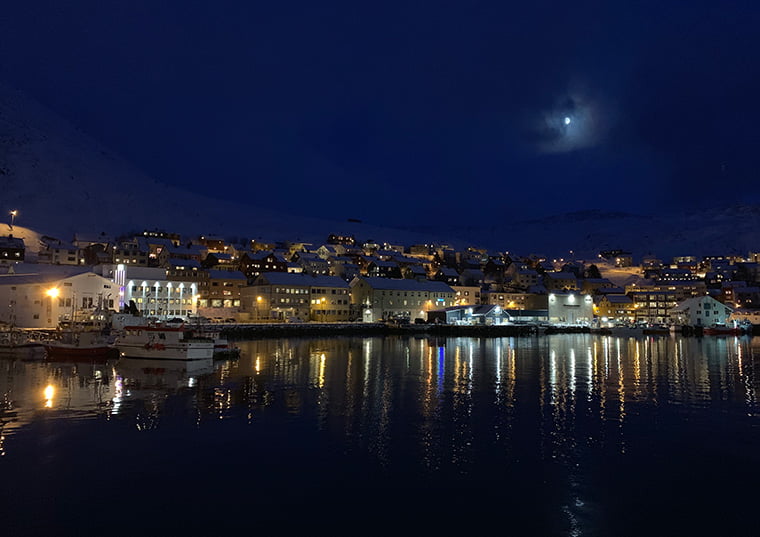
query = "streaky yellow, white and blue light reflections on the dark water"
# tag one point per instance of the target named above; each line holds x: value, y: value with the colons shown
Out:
x: 471, y: 410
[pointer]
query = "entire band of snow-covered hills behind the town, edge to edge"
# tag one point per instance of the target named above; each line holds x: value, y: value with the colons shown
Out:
x: 61, y: 181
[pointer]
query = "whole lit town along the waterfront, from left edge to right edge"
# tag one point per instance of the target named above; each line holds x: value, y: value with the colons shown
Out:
x: 164, y: 276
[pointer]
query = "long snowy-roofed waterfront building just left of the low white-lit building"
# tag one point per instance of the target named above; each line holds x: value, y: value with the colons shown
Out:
x: 388, y: 298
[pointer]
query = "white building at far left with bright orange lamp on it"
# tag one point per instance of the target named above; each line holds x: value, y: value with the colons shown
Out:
x: 42, y: 296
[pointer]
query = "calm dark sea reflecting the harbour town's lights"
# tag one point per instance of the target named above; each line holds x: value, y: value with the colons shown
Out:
x: 574, y: 435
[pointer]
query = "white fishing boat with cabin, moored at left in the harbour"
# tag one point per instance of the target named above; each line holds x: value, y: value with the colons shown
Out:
x: 162, y: 342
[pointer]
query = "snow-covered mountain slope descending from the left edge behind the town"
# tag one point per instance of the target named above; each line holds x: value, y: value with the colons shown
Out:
x: 61, y: 181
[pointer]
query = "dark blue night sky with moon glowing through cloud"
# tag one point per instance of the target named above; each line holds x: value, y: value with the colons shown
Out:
x: 410, y: 111
